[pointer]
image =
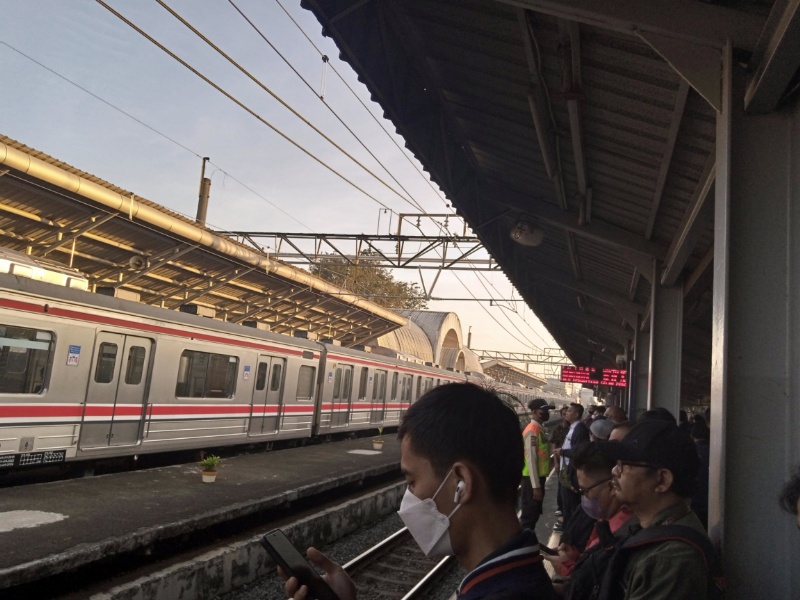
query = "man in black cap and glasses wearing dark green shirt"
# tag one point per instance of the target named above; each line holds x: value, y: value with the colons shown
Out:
x: 655, y: 472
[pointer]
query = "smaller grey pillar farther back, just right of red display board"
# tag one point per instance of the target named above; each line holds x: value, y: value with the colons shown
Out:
x: 666, y: 335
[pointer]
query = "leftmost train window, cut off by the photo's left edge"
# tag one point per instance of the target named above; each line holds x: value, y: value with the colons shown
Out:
x: 25, y: 356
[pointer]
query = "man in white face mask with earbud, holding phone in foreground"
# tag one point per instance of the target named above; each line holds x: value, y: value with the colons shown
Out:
x: 461, y: 454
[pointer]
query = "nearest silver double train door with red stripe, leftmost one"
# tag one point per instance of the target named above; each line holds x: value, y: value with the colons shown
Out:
x: 117, y: 391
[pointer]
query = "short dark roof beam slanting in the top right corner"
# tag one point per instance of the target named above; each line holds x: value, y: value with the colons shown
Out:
x: 775, y: 59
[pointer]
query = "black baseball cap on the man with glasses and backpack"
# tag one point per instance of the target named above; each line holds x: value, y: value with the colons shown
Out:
x: 661, y: 444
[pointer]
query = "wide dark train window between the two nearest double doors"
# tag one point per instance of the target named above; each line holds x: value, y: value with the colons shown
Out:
x: 204, y: 375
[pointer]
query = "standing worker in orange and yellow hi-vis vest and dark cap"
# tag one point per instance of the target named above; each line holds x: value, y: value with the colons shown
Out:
x: 537, y: 463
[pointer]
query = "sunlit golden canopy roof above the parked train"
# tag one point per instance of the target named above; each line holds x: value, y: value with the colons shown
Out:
x: 54, y: 212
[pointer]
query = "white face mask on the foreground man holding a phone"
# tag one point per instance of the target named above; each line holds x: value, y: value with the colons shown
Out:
x: 427, y: 525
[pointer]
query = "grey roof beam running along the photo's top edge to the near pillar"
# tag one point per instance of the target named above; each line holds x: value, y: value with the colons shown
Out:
x: 684, y: 20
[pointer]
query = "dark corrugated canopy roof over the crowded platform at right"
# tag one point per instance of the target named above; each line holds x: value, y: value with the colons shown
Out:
x: 576, y: 137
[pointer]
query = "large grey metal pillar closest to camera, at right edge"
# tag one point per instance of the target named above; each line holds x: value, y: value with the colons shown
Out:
x: 755, y: 411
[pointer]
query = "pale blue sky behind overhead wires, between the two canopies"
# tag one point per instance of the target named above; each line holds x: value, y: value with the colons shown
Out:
x: 259, y: 180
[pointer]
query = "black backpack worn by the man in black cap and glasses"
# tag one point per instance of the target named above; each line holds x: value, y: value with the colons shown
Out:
x: 598, y: 573
